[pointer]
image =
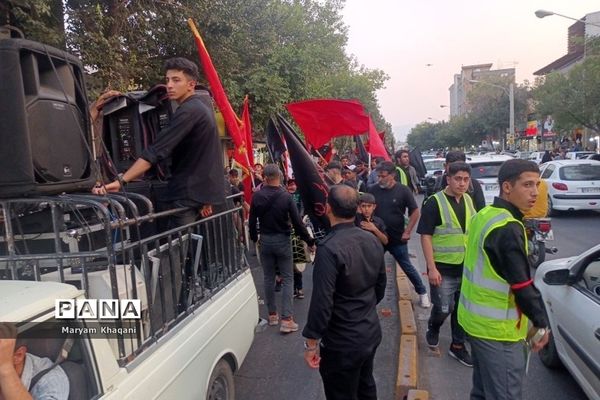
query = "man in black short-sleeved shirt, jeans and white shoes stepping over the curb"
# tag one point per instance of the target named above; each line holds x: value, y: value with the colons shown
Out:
x: 393, y: 199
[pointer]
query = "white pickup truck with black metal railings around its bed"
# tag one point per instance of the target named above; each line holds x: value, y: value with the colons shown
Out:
x: 199, y: 307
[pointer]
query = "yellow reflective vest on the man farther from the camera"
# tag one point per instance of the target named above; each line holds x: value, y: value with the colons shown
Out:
x: 449, y: 240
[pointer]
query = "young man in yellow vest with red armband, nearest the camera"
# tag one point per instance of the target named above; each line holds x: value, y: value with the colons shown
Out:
x: 497, y: 294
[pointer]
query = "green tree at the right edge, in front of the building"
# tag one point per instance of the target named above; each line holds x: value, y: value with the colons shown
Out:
x: 573, y: 99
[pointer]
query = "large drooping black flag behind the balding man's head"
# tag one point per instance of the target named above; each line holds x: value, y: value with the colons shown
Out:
x: 313, y: 189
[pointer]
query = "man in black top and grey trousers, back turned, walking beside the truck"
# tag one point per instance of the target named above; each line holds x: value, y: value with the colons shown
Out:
x: 273, y: 207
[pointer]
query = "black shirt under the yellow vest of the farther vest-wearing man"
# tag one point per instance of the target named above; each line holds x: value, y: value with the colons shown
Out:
x: 431, y: 217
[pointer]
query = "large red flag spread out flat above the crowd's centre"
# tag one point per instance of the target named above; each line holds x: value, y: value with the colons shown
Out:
x: 323, y: 119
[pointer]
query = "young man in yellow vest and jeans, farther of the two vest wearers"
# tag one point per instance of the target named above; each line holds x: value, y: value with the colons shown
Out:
x: 445, y: 219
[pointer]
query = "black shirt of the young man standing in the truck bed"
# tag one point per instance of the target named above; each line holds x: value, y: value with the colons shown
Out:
x: 192, y: 141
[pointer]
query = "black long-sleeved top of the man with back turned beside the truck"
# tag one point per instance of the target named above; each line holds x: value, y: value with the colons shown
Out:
x: 274, y: 207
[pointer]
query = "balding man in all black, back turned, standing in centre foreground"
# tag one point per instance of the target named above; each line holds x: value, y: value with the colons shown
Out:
x: 348, y: 282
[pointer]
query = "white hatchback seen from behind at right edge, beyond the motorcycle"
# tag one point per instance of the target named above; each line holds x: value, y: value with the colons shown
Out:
x: 572, y: 185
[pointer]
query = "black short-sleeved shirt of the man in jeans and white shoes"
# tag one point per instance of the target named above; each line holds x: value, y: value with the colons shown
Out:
x: 391, y: 208
